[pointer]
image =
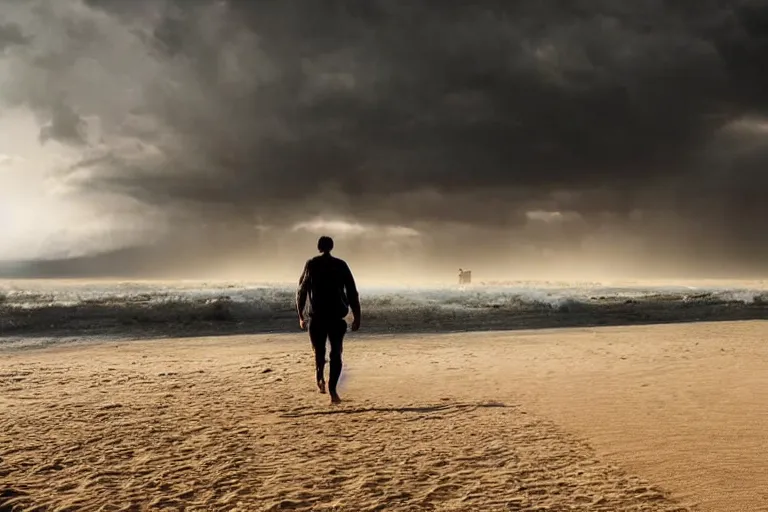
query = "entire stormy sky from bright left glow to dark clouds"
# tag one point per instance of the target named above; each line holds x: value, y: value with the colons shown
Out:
x: 530, y: 136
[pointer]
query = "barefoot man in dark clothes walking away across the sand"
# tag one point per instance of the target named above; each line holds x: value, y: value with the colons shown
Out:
x: 332, y: 292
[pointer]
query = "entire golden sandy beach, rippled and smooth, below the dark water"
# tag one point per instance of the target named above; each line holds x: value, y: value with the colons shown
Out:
x: 649, y: 418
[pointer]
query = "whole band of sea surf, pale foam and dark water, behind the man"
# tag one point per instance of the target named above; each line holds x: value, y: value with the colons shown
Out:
x: 72, y: 309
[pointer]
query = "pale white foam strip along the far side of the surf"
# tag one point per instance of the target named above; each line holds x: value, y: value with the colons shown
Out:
x: 266, y: 296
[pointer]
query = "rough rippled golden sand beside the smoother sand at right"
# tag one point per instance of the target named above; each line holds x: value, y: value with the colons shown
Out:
x: 234, y: 424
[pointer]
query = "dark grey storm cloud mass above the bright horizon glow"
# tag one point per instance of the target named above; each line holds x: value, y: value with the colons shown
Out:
x: 408, y: 112
